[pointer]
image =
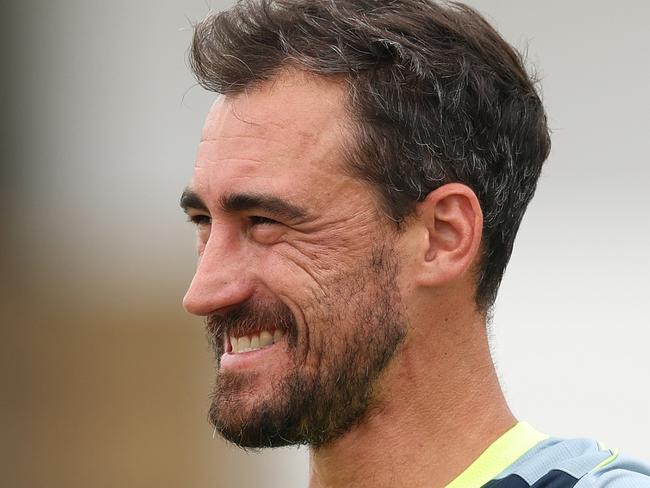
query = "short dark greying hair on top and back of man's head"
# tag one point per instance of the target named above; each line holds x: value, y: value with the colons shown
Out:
x: 436, y: 96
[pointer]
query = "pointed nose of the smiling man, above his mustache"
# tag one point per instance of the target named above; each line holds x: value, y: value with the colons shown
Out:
x: 221, y: 279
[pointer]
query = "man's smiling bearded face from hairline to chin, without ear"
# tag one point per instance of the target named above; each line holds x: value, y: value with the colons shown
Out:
x: 297, y: 269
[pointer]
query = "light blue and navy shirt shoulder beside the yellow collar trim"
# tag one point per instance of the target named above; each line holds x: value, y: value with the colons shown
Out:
x: 574, y: 463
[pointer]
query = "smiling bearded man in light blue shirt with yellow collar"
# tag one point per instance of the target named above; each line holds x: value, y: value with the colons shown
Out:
x: 356, y: 195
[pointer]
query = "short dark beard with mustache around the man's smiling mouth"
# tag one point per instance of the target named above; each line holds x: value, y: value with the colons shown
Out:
x: 352, y: 328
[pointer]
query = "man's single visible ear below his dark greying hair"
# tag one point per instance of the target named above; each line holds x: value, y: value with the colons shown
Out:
x: 452, y: 219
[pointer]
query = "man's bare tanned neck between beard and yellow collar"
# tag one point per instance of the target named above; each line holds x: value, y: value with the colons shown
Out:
x: 437, y: 409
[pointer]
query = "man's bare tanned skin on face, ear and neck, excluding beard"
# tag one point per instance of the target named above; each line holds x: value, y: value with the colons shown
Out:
x: 438, y: 403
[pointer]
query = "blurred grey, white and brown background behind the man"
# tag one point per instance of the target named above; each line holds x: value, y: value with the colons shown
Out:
x: 106, y: 379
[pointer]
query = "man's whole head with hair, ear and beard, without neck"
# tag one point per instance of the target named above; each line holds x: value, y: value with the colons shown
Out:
x: 343, y: 127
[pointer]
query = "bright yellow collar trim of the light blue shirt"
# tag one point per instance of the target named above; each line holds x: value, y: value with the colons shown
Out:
x: 496, y: 458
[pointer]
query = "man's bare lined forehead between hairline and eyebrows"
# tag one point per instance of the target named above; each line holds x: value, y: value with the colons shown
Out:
x: 291, y: 127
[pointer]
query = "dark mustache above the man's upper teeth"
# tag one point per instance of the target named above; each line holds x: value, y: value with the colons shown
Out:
x: 248, y: 318
